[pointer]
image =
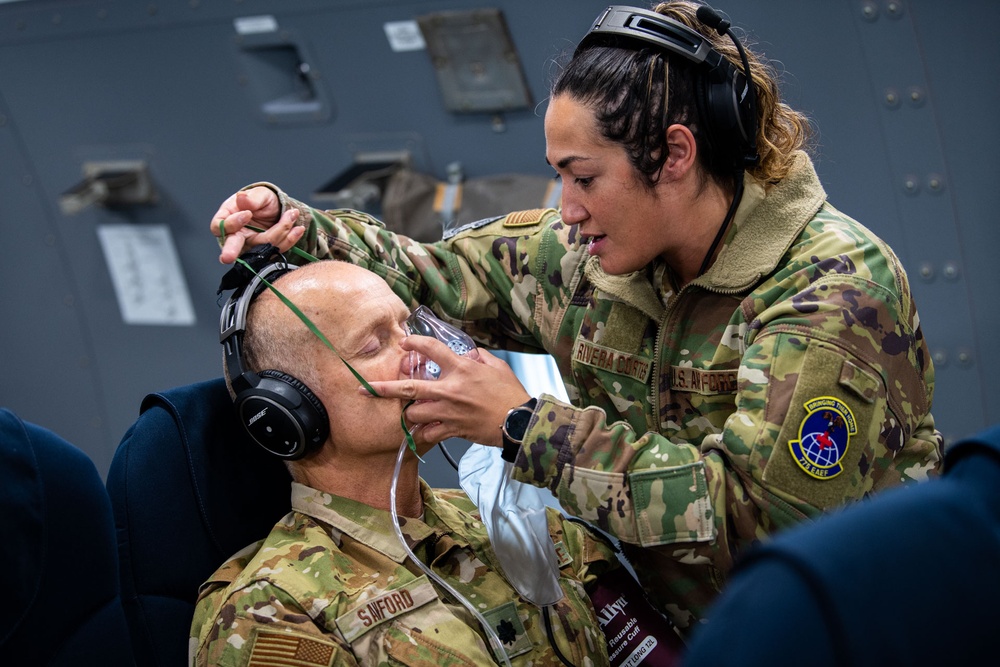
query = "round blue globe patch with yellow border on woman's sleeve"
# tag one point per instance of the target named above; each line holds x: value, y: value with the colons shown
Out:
x: 824, y: 436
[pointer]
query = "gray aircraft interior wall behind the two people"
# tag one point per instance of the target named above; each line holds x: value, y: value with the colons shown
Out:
x: 172, y: 84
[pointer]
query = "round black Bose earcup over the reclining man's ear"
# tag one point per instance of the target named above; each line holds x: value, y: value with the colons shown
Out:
x: 282, y: 415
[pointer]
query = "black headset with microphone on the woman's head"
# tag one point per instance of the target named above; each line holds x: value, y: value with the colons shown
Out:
x: 728, y: 104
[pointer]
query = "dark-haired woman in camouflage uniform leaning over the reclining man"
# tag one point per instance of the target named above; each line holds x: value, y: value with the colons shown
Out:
x: 731, y: 371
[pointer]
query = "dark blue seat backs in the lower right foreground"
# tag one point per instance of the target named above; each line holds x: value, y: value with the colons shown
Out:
x: 910, y: 577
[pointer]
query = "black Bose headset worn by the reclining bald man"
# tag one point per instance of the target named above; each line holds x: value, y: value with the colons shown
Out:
x: 279, y: 412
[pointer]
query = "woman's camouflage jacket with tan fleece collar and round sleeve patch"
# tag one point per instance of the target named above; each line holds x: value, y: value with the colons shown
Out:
x: 788, y: 379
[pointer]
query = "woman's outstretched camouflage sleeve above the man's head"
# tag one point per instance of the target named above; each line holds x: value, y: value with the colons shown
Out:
x: 500, y: 279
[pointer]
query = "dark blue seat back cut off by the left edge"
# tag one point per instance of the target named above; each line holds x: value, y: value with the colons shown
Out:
x: 57, y: 546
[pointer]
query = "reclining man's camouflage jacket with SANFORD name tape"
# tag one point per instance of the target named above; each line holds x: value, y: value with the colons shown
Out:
x: 332, y: 585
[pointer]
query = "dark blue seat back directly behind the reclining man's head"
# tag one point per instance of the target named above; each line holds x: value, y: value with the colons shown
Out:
x: 189, y: 489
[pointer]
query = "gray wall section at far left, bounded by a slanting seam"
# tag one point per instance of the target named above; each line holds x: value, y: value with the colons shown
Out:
x: 48, y: 358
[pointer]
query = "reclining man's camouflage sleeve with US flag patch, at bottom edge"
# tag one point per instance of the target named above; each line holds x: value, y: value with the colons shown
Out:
x: 259, y: 624
